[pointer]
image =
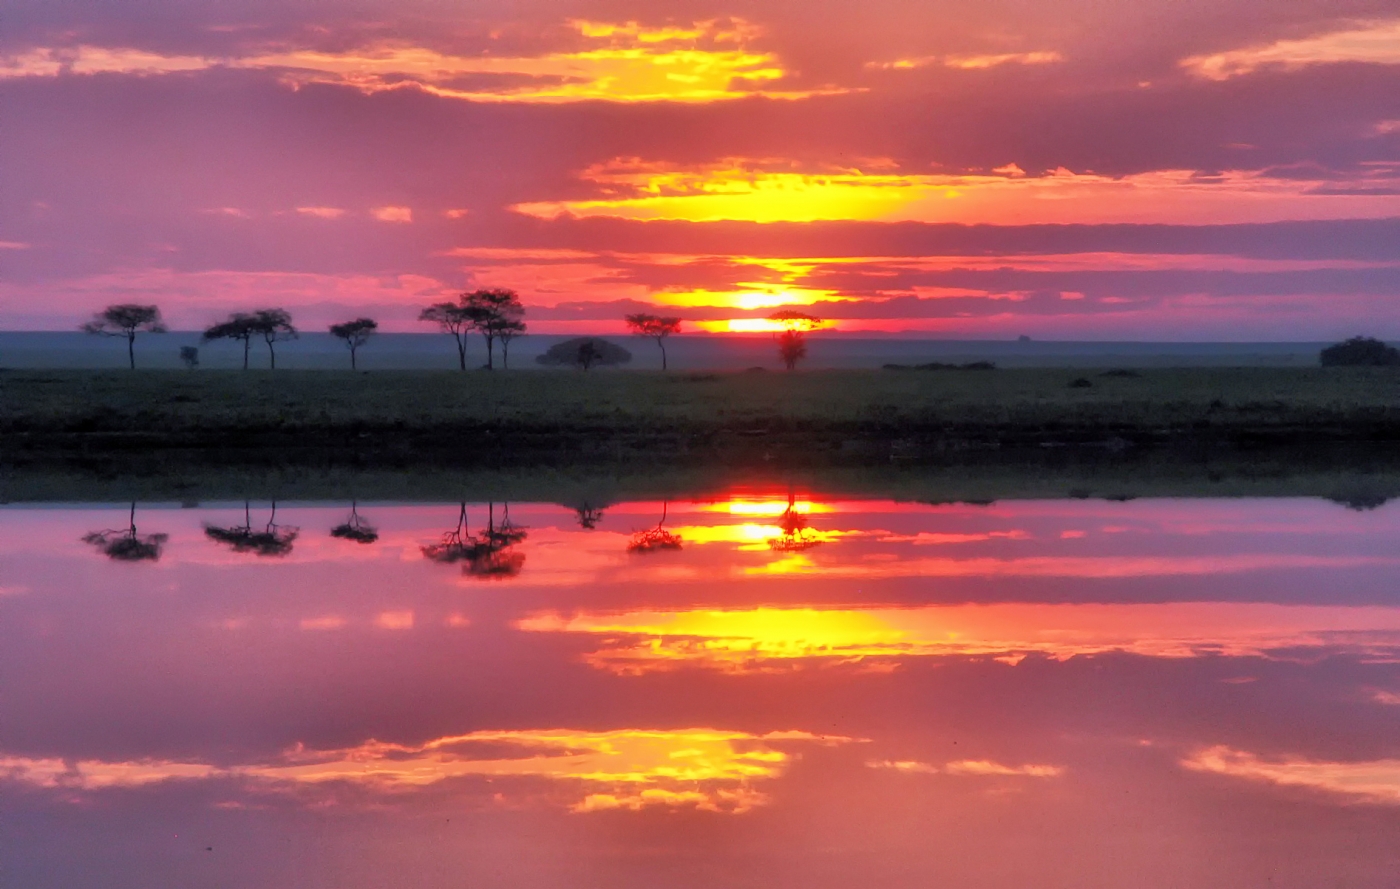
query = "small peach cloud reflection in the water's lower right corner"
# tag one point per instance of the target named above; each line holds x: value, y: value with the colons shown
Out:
x: 1367, y: 780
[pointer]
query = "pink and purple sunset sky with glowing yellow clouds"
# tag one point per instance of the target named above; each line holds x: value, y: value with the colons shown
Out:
x: 1191, y: 170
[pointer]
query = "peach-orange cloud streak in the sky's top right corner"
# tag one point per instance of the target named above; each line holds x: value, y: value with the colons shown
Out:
x: 1373, y: 44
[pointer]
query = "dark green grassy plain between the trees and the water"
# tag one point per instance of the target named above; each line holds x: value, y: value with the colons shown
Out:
x: 540, y: 416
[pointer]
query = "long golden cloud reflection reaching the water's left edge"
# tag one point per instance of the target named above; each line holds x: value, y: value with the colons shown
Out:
x: 632, y: 769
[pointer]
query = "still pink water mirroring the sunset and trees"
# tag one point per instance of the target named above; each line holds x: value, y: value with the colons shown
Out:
x: 758, y: 688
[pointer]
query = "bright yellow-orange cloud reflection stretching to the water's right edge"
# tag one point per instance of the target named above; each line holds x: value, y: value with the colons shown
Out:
x: 768, y: 638
